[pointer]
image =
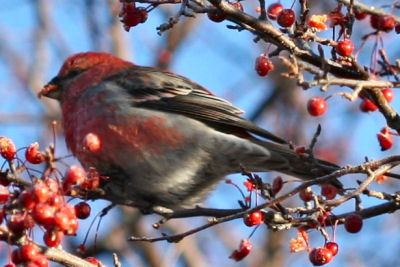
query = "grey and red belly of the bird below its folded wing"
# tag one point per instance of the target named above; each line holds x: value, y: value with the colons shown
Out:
x: 149, y: 159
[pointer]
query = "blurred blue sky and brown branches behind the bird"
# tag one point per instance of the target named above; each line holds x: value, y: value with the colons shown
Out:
x: 36, y: 36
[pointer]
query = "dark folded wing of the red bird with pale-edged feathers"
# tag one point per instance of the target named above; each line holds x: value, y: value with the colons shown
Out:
x: 162, y: 90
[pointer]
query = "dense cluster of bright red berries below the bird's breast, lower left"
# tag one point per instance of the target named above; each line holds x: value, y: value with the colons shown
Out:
x: 43, y: 203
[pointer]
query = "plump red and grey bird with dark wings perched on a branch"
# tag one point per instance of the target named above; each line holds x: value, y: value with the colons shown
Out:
x: 166, y: 141
